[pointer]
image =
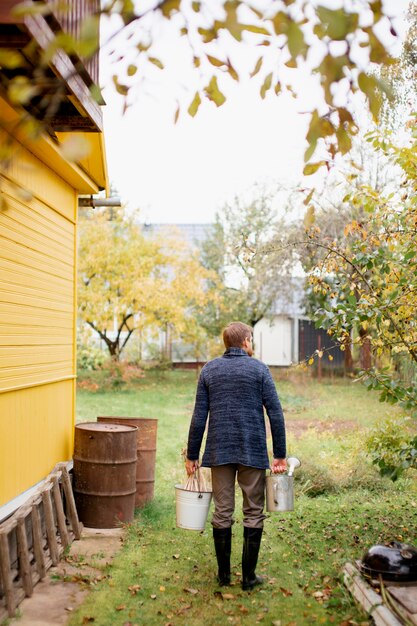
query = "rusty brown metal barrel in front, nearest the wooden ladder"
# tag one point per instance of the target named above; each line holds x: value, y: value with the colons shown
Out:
x: 105, y: 473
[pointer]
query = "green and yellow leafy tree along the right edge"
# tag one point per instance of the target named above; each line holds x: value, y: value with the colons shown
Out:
x: 367, y: 281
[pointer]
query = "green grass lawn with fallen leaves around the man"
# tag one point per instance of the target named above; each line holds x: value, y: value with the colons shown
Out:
x: 166, y: 576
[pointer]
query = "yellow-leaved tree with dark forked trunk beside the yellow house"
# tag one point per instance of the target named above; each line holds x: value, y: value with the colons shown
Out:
x: 128, y: 283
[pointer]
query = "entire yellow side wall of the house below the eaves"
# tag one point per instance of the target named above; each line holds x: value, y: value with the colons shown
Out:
x: 37, y: 323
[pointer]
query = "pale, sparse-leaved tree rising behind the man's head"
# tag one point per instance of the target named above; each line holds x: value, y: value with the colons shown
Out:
x: 248, y: 285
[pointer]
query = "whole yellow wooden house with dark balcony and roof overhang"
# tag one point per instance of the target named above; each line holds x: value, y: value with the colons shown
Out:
x: 39, y: 189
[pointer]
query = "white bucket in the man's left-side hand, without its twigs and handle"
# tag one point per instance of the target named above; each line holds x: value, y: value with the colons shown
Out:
x: 192, y: 508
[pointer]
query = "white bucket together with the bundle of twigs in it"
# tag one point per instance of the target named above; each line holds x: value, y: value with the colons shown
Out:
x: 193, y: 502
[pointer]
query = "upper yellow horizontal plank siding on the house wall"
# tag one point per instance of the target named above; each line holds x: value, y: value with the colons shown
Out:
x: 36, y: 297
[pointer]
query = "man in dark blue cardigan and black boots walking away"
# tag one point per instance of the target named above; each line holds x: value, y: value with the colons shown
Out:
x: 232, y: 392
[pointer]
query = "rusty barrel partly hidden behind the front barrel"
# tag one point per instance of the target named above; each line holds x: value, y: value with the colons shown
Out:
x: 146, y: 451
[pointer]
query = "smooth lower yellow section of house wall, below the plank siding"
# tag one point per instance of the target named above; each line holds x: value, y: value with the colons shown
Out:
x: 36, y: 431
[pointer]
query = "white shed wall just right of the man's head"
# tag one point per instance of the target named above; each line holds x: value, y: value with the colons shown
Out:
x: 274, y: 341
